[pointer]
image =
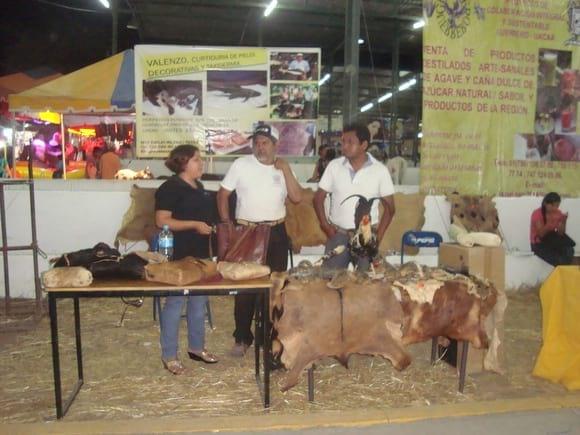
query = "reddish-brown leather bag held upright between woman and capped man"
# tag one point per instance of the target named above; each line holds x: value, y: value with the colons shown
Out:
x: 238, y: 243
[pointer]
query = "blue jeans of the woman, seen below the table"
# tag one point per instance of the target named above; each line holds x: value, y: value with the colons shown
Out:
x: 170, y: 317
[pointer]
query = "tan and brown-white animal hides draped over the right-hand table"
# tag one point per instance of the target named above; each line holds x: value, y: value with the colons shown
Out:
x: 357, y: 314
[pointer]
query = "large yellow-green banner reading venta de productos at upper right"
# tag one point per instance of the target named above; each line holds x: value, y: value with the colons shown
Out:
x: 501, y: 84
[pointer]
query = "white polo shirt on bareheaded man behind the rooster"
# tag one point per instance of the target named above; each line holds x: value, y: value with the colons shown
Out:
x: 341, y: 181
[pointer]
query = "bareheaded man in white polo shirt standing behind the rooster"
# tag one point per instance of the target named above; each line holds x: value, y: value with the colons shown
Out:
x: 355, y: 173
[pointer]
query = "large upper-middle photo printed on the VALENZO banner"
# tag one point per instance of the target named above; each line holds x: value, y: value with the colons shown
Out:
x: 237, y: 90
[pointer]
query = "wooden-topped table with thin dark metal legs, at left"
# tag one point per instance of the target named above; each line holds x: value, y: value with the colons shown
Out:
x: 127, y: 288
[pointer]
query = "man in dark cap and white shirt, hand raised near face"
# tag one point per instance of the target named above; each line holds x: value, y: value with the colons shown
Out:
x: 262, y: 182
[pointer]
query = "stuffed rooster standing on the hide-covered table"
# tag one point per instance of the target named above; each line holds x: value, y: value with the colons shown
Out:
x: 364, y: 242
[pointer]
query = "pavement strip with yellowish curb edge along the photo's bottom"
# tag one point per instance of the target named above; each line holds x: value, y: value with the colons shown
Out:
x: 549, y: 415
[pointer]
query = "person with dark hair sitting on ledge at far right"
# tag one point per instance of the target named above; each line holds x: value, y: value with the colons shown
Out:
x: 548, y: 232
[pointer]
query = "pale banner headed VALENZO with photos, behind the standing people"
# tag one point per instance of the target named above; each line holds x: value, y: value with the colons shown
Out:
x: 213, y: 97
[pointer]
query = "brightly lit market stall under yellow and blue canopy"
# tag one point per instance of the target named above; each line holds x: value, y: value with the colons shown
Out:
x: 61, y: 123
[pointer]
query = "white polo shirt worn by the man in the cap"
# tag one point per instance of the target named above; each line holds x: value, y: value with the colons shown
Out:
x: 260, y: 189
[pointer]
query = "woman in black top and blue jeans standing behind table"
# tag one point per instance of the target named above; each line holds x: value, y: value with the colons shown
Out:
x: 188, y: 209
